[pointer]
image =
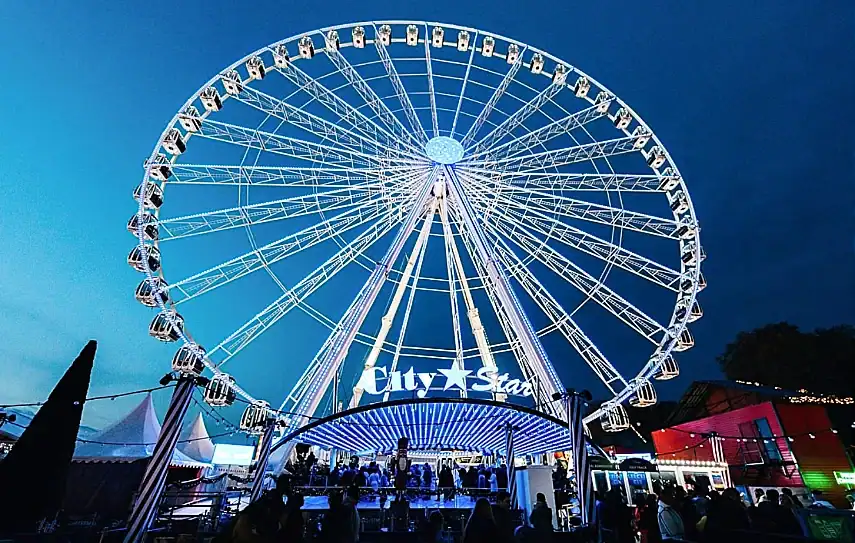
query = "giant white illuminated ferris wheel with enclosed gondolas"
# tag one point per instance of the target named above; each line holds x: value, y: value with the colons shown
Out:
x: 428, y: 160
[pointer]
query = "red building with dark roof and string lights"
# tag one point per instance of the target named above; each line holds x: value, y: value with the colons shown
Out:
x: 769, y: 437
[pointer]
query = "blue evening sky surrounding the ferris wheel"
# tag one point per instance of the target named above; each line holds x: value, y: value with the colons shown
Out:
x: 752, y: 99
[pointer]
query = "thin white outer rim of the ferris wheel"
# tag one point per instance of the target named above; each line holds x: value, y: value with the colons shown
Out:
x: 694, y: 271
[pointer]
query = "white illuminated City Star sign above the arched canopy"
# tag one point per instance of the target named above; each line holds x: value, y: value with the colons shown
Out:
x: 377, y: 380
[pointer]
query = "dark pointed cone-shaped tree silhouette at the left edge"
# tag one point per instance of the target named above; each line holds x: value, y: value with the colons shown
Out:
x: 33, y: 474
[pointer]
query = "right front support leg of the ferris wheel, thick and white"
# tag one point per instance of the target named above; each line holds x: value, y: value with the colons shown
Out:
x: 498, y: 280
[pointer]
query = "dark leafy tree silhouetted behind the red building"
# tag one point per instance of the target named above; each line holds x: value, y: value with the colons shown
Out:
x: 782, y: 355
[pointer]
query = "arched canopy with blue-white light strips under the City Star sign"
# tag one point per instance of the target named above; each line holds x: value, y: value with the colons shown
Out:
x: 434, y: 424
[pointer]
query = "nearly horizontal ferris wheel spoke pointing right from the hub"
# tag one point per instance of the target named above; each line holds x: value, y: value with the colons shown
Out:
x: 573, y: 182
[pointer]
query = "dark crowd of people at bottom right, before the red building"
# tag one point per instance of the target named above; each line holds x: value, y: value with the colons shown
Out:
x: 701, y: 514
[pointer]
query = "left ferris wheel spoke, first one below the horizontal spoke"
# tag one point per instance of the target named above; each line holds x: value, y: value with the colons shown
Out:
x: 271, y: 210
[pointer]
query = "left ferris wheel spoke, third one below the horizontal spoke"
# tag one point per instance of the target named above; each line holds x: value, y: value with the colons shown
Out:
x: 294, y: 296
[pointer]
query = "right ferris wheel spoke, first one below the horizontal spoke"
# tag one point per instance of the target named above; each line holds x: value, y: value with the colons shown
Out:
x: 577, y: 209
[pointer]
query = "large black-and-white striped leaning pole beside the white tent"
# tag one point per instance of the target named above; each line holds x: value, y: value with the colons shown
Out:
x: 154, y: 480
